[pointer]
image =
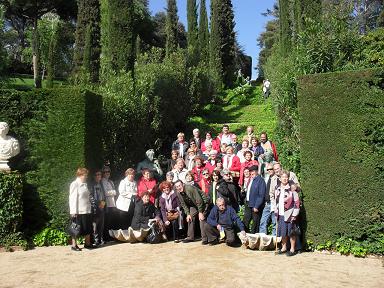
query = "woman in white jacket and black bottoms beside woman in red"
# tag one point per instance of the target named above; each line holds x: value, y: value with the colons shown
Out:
x: 127, y: 196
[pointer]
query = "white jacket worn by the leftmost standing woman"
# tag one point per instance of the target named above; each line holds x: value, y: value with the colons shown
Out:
x: 79, y: 202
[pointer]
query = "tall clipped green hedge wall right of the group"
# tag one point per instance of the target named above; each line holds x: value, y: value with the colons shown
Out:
x: 342, y: 153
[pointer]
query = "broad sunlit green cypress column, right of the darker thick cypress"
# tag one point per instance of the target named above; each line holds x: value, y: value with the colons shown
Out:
x: 121, y: 35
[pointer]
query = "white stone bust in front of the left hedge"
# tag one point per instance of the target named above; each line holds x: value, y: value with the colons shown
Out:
x: 9, y: 146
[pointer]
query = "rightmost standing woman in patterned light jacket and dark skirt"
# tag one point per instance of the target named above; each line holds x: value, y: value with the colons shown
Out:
x: 286, y: 210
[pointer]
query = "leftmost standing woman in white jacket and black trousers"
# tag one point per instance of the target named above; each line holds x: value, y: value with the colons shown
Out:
x: 80, y: 207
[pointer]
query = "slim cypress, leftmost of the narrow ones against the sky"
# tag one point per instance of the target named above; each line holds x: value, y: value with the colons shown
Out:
x: 171, y: 27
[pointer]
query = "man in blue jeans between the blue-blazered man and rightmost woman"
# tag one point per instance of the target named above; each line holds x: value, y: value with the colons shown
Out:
x: 268, y: 214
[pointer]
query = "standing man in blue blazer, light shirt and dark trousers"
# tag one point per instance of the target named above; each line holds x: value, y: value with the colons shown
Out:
x: 254, y: 200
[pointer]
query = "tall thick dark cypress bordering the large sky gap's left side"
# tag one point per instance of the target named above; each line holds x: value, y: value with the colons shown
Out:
x: 222, y: 41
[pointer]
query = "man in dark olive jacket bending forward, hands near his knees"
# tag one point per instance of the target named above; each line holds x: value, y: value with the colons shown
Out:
x: 194, y: 203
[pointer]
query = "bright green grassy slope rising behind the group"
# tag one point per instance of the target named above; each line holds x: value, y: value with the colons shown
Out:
x: 255, y: 113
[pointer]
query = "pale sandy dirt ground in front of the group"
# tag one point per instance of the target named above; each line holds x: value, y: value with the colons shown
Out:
x: 183, y: 265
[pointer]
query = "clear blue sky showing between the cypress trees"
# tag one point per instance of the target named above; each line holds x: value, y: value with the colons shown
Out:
x: 249, y: 21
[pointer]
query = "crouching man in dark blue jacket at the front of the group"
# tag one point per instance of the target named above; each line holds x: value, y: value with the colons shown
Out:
x: 221, y: 222
